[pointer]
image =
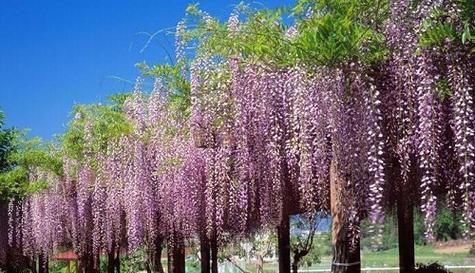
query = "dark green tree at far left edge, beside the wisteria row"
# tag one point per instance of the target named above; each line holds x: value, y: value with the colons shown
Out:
x: 17, y: 153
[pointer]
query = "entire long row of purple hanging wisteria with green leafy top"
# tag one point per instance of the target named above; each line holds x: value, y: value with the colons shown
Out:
x: 251, y: 137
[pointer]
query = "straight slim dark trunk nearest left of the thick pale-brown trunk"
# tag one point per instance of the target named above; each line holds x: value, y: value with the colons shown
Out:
x: 283, y: 237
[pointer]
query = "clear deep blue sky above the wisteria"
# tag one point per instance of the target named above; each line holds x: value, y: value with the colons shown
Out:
x: 54, y: 54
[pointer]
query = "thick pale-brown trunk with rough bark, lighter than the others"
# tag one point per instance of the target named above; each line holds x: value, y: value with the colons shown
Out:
x: 346, y: 258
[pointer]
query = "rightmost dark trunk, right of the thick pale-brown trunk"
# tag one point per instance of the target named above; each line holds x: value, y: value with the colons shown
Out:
x: 405, y: 221
